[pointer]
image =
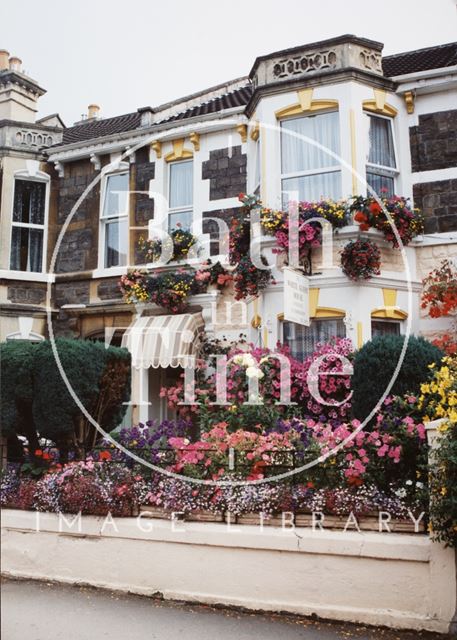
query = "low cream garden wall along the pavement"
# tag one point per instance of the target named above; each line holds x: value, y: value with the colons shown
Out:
x: 398, y: 580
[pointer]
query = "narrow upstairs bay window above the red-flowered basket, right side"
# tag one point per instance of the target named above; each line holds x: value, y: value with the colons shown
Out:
x: 381, y: 163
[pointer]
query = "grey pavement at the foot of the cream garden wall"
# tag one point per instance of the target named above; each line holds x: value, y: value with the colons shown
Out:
x: 42, y: 611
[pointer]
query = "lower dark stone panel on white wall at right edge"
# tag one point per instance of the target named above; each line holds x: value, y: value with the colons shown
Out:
x: 438, y: 201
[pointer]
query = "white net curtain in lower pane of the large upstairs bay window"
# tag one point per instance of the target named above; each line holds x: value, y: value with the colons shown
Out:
x: 312, y: 188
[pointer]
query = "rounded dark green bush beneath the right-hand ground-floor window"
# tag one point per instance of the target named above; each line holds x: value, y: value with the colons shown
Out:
x: 374, y: 366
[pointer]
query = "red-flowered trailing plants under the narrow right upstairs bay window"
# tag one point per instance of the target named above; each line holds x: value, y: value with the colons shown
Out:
x: 369, y: 213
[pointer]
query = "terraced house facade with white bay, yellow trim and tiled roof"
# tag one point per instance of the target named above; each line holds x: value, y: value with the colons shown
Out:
x: 75, y: 200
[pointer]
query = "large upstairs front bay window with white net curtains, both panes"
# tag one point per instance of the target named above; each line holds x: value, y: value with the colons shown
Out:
x: 308, y: 169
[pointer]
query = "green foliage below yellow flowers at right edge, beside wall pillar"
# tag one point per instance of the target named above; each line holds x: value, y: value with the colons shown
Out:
x: 443, y: 485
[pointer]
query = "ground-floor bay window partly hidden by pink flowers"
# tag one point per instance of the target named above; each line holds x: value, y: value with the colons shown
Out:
x: 302, y: 341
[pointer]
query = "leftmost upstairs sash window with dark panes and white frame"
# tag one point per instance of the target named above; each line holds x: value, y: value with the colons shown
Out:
x: 28, y: 226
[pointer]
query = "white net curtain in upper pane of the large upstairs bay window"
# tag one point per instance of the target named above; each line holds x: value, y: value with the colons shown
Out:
x: 299, y: 154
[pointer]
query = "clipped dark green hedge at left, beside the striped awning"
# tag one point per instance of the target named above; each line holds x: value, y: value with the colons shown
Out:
x: 33, y: 386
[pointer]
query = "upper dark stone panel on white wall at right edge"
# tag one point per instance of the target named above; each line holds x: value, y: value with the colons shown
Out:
x: 434, y: 141
